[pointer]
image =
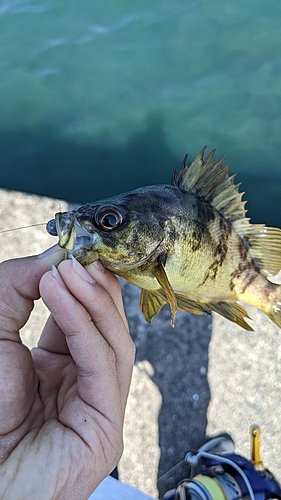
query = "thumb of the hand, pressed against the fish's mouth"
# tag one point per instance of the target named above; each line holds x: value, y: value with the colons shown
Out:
x: 19, y: 279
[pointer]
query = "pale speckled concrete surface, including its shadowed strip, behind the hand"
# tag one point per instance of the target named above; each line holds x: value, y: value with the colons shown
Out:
x: 202, y: 377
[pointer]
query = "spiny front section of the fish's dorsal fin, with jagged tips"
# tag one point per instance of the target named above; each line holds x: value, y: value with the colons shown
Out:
x: 212, y: 182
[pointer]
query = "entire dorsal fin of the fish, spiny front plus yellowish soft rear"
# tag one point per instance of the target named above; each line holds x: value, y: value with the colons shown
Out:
x: 212, y: 182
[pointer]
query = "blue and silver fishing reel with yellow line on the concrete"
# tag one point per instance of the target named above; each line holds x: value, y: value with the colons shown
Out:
x: 217, y: 472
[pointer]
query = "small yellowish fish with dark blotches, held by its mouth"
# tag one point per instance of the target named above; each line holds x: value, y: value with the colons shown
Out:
x: 188, y: 244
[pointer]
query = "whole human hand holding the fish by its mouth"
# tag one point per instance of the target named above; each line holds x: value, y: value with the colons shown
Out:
x: 62, y: 404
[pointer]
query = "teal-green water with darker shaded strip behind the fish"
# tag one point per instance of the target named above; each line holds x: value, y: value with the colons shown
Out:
x: 98, y: 97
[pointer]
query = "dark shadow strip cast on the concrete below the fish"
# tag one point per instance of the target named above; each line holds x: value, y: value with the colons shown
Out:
x: 179, y: 357
